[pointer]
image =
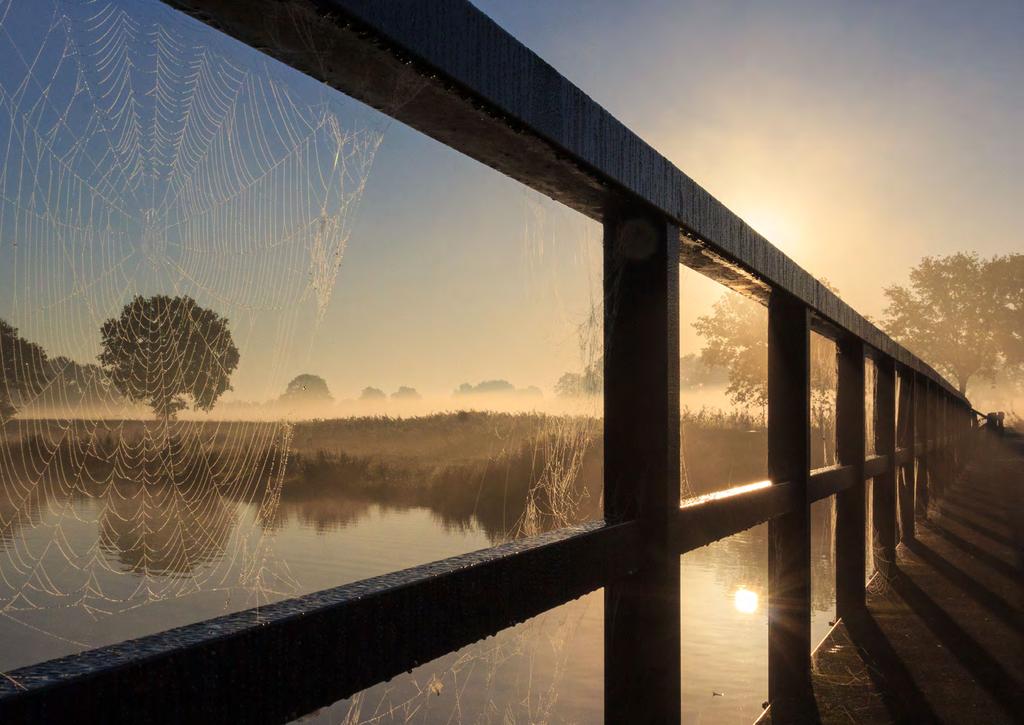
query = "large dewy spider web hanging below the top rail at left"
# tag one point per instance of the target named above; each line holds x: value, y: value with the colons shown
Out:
x: 141, y: 156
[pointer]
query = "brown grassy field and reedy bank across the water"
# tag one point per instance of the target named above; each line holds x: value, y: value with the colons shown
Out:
x: 510, y: 474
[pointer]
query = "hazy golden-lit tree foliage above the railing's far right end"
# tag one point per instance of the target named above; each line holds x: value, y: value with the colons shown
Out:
x: 962, y: 315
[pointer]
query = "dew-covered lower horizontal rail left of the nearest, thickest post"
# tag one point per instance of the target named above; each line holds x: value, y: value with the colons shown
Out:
x: 291, y: 658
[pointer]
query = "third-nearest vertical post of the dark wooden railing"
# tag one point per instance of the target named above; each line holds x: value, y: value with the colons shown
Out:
x: 850, y: 504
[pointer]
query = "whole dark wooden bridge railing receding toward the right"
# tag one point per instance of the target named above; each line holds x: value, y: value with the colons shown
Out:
x: 447, y: 70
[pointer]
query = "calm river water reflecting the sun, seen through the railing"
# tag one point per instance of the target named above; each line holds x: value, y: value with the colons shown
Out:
x: 548, y: 669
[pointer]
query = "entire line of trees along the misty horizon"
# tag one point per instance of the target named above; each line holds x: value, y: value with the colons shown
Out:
x: 962, y: 314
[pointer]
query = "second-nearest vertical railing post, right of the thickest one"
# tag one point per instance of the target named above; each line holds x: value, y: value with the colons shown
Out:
x: 789, y: 536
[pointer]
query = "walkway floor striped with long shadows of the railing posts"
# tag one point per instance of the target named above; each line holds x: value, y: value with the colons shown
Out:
x: 943, y: 641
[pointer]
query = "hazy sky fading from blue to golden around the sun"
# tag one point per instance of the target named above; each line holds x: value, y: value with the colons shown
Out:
x: 859, y: 138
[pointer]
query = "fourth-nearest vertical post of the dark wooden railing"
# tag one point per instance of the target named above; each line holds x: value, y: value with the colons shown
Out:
x: 884, y: 489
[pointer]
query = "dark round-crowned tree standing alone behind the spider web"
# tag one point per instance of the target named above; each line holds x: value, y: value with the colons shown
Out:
x: 165, y: 351
